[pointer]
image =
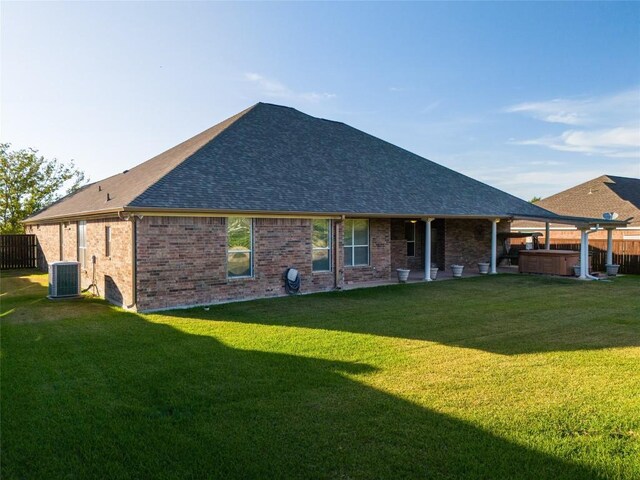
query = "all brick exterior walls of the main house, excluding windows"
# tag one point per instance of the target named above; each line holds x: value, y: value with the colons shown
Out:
x: 181, y: 261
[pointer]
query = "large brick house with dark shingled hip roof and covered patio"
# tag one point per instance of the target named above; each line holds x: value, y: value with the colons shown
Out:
x: 221, y: 216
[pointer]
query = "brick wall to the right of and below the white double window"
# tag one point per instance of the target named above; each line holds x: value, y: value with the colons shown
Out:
x: 379, y: 267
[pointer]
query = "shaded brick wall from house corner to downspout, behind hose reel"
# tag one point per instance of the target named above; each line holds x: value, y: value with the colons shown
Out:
x: 181, y: 261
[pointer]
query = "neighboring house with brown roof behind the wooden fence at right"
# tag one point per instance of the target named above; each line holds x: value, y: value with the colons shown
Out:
x: 605, y: 194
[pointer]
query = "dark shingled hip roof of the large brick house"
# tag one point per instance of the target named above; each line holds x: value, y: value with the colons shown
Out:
x: 275, y: 159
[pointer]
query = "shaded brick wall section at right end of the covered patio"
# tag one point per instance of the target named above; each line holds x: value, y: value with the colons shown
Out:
x: 468, y: 241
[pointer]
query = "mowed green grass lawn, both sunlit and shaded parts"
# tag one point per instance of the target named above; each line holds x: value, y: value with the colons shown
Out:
x: 497, y: 377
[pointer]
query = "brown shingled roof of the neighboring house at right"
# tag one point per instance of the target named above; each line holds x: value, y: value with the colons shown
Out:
x: 607, y: 193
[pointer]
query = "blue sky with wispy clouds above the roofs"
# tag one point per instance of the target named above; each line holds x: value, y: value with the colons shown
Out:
x: 529, y: 97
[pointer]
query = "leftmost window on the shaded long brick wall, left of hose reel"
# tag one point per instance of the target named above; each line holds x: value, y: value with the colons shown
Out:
x: 239, y: 247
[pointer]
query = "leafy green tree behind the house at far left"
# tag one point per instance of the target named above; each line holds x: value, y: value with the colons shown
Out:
x: 29, y: 182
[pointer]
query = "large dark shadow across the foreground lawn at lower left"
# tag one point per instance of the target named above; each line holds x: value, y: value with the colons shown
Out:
x: 117, y: 396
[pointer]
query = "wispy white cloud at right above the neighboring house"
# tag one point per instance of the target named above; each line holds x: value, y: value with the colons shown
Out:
x: 610, y: 124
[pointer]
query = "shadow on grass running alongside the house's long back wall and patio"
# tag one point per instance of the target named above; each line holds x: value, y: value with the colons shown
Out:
x: 505, y: 314
